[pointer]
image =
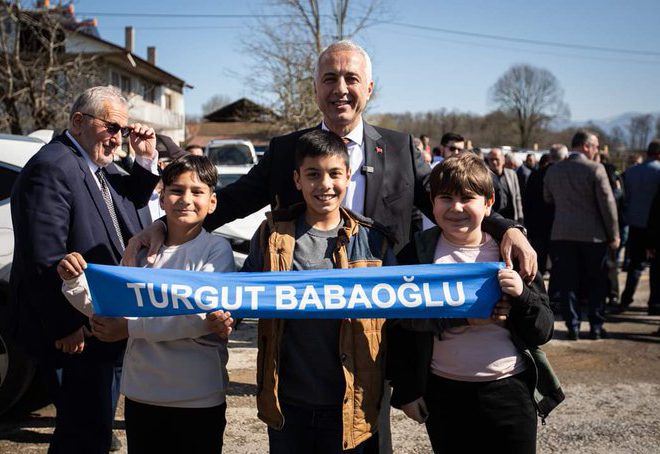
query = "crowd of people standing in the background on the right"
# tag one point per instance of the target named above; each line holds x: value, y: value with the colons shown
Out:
x: 586, y: 218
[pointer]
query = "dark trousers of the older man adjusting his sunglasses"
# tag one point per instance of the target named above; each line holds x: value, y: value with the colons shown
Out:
x: 81, y: 389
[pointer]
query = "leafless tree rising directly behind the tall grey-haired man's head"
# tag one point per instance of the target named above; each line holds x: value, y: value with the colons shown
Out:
x: 285, y: 51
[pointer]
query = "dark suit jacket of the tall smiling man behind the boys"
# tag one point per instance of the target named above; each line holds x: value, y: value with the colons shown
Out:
x: 396, y: 183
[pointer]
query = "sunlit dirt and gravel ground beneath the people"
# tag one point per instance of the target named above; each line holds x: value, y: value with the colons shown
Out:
x: 612, y: 391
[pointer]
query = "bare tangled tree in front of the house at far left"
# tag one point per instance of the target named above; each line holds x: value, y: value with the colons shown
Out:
x: 38, y: 79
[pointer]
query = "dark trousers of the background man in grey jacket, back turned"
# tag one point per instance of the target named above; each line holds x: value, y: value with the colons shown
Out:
x: 580, y: 265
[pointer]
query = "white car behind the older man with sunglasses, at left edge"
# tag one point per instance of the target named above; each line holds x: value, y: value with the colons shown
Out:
x: 16, y: 370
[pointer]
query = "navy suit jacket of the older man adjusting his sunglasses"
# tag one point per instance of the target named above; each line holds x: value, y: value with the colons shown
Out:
x: 57, y: 208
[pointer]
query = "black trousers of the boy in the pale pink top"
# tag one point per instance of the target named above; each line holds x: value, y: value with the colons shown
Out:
x: 499, y: 416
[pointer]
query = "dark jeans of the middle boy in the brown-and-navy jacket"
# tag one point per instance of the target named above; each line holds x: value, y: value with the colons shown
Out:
x: 309, y: 431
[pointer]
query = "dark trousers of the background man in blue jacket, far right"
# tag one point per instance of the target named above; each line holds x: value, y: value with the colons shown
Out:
x: 637, y: 254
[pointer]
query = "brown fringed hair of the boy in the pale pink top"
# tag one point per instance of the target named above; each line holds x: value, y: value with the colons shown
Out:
x: 462, y: 174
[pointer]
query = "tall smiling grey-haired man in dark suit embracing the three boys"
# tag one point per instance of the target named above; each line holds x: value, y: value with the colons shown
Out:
x: 388, y: 175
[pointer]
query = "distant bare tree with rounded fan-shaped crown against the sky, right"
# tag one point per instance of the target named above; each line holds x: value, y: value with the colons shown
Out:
x: 533, y: 95
